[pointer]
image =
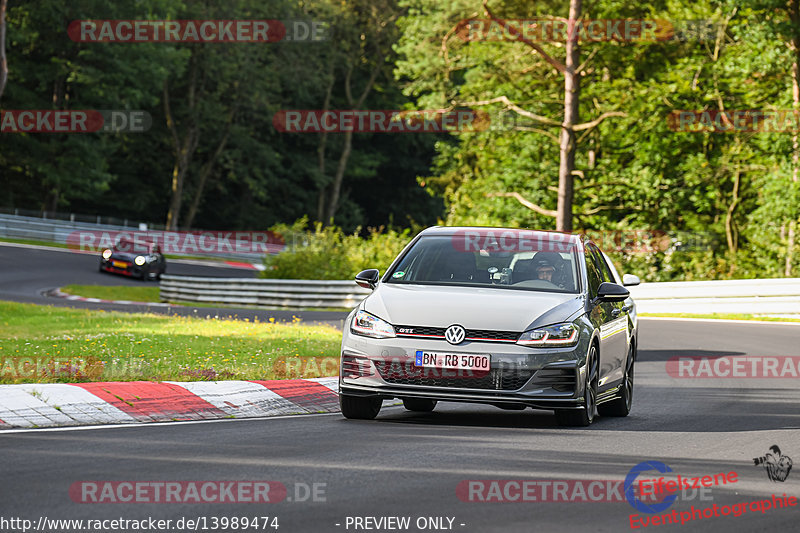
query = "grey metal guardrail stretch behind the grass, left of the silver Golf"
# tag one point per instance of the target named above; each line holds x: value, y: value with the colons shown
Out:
x: 292, y: 294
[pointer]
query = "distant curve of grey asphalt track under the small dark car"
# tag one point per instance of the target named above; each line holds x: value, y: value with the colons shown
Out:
x: 27, y: 273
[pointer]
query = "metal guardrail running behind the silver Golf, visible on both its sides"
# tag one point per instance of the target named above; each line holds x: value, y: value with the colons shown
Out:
x: 770, y: 296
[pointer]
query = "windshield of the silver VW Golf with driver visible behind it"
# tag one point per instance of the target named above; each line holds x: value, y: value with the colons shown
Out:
x: 507, y: 261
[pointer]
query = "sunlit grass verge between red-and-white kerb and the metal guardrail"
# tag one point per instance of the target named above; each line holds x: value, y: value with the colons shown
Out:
x: 43, y: 344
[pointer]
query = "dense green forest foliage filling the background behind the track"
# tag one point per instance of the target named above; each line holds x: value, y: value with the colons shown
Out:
x: 634, y: 172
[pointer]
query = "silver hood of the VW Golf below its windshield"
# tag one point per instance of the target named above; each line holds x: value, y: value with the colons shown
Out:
x: 473, y: 308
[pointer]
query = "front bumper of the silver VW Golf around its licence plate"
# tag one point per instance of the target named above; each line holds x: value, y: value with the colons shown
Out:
x: 544, y: 378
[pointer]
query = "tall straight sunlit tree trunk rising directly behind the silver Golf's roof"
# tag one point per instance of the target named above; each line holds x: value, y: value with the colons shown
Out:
x: 572, y: 85
